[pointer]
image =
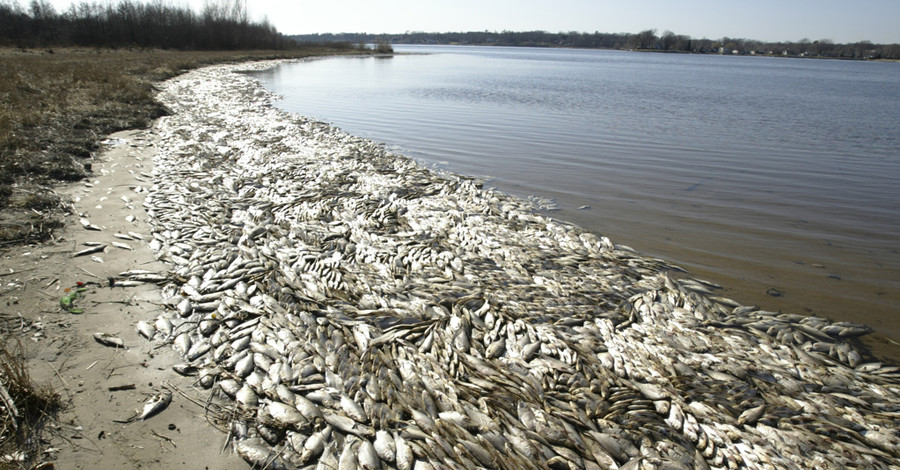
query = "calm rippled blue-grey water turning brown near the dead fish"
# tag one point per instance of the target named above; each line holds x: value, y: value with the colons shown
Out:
x: 777, y: 178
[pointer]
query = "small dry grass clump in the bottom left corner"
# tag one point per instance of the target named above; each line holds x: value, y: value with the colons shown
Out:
x: 25, y: 407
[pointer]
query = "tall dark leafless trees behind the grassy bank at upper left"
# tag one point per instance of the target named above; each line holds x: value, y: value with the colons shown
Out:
x: 222, y: 25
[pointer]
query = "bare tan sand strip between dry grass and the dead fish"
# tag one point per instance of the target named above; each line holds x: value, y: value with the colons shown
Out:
x: 101, y: 384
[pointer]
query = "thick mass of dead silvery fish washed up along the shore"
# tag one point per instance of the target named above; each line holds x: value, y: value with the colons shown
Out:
x: 358, y: 310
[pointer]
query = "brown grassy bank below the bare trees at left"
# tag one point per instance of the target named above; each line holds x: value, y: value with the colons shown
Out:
x: 57, y: 104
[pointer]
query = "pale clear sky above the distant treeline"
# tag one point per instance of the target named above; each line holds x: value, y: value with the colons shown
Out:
x: 841, y: 21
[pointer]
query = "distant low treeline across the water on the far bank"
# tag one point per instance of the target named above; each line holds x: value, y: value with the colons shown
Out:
x: 647, y: 40
